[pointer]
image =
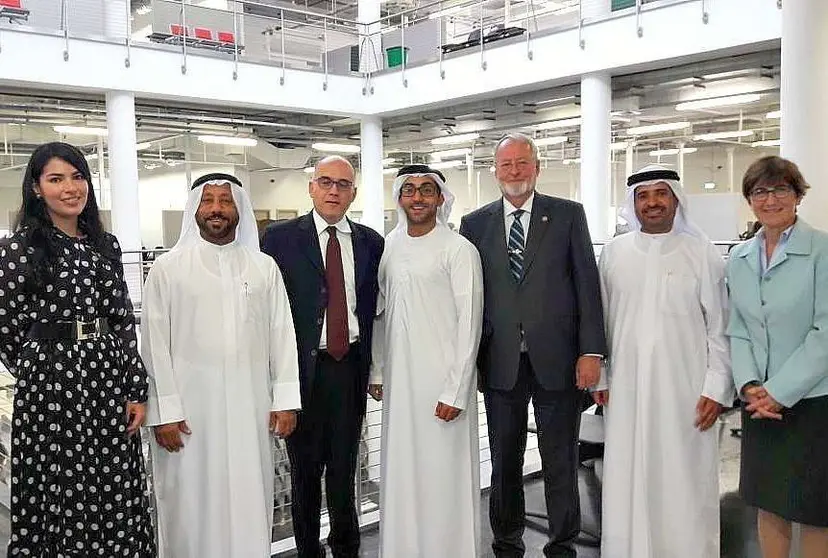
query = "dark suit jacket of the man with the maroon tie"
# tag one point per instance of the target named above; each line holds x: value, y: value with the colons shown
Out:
x: 294, y: 245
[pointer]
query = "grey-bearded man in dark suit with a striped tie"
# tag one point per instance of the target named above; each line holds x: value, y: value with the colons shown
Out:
x: 543, y: 339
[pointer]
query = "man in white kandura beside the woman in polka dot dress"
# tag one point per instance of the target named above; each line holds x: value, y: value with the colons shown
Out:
x: 220, y: 352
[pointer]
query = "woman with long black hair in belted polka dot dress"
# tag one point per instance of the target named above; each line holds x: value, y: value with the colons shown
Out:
x: 67, y: 334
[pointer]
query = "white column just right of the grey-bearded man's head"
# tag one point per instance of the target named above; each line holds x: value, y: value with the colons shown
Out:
x: 596, y: 103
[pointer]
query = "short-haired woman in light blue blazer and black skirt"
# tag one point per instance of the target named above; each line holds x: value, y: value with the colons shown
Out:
x: 778, y: 329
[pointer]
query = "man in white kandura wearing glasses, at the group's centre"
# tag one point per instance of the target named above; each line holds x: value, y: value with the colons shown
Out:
x: 430, y: 314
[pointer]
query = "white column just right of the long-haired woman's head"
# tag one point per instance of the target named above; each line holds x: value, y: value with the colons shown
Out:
x: 123, y: 184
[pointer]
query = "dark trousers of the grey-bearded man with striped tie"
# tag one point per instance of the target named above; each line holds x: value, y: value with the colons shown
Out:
x: 557, y: 414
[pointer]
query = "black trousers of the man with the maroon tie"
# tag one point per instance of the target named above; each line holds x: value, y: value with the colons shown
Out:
x: 326, y: 440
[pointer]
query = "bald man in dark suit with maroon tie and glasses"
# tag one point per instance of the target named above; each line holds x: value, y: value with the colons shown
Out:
x: 330, y: 269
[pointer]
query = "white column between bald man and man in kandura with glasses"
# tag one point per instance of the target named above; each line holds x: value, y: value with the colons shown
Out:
x: 371, y: 187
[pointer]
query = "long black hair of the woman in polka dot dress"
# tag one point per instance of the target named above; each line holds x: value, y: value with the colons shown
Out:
x: 33, y: 220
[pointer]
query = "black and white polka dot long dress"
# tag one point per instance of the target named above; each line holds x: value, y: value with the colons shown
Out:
x: 78, y: 482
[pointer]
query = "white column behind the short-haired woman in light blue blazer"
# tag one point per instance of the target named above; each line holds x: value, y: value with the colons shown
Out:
x: 804, y: 111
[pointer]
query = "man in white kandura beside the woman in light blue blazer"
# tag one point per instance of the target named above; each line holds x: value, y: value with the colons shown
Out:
x: 669, y: 376
